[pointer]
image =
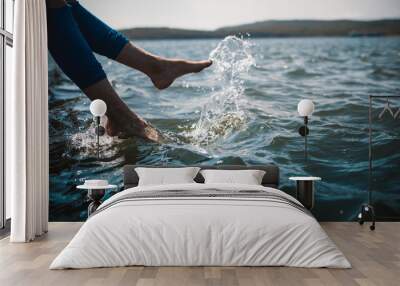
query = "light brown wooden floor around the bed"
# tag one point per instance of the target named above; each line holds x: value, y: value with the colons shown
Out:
x: 375, y: 257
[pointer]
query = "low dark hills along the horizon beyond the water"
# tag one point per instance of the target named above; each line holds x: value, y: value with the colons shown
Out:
x: 275, y: 28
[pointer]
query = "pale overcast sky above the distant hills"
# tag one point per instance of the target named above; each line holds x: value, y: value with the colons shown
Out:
x: 211, y: 14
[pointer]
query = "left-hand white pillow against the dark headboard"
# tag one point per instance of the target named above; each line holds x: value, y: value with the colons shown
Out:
x: 166, y: 176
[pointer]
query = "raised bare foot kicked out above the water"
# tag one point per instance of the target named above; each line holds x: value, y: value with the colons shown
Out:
x: 169, y: 70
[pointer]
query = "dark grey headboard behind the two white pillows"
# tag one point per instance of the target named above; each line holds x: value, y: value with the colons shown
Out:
x: 270, y: 179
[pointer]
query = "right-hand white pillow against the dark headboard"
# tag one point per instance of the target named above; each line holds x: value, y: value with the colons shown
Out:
x: 248, y: 177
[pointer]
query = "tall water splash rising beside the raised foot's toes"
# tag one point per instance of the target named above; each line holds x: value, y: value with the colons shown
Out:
x: 224, y: 113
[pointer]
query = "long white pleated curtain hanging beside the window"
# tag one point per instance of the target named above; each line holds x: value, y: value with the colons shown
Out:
x: 27, y: 124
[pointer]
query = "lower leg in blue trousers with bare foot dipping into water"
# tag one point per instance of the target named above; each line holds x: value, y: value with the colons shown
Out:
x: 74, y: 56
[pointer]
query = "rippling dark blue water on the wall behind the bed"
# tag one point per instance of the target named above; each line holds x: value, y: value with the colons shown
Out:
x: 243, y: 110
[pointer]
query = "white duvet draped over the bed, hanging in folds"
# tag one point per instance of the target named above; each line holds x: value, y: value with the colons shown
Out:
x: 206, y: 231
